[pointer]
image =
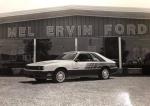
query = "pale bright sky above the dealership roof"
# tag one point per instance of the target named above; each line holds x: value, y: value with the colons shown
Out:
x: 19, y: 5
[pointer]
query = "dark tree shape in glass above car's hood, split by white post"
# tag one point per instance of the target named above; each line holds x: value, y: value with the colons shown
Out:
x: 42, y: 48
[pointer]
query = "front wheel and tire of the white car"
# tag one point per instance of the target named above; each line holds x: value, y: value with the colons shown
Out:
x: 59, y: 76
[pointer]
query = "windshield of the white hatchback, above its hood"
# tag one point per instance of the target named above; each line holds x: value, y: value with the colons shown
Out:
x: 66, y: 56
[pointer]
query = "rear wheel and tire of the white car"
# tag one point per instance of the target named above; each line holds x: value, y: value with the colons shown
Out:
x: 104, y: 74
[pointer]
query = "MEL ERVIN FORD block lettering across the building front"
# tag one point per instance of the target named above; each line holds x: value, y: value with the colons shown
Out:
x: 79, y: 31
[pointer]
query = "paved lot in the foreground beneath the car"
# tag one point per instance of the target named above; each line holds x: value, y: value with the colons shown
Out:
x: 117, y: 91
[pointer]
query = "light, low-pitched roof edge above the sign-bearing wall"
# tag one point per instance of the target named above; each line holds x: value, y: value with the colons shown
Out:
x: 116, y: 12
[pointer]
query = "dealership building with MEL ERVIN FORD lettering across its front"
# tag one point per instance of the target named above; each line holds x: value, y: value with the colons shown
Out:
x: 122, y: 34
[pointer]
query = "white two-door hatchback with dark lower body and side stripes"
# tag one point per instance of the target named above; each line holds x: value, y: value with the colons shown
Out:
x: 69, y: 64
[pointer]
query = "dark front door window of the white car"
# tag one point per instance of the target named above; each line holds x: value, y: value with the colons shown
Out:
x: 84, y: 57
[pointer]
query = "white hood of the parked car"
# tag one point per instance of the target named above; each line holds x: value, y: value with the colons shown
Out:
x: 43, y: 63
